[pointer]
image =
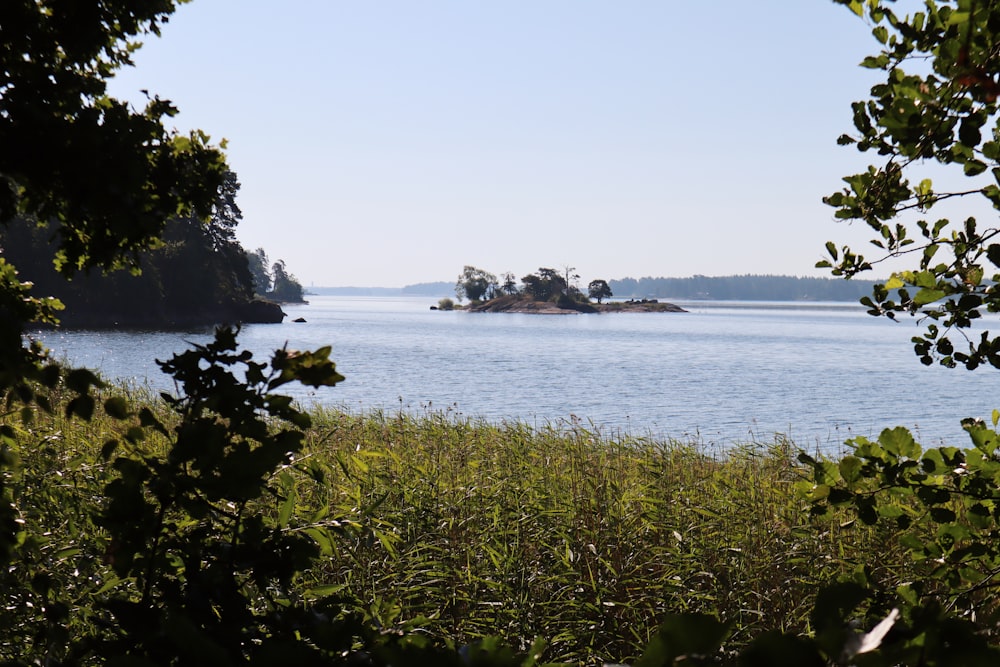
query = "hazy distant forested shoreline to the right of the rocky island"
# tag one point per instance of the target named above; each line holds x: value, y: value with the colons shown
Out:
x: 743, y: 288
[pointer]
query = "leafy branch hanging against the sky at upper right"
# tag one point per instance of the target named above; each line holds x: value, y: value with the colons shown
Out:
x: 933, y: 124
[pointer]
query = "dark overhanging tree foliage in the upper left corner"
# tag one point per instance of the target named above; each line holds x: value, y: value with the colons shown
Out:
x: 106, y: 175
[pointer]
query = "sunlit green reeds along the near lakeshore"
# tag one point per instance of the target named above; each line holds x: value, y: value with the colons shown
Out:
x: 458, y: 528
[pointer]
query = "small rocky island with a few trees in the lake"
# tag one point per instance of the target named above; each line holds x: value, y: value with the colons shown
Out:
x: 547, y: 292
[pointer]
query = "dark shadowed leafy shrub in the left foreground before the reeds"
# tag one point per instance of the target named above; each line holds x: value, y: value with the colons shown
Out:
x: 193, y: 571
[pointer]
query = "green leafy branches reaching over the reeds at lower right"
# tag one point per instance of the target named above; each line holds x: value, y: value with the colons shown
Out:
x: 942, y: 503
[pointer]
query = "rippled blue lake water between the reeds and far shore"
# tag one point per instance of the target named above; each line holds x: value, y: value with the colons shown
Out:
x: 721, y: 373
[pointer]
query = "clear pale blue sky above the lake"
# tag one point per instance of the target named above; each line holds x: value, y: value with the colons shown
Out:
x: 392, y: 142
